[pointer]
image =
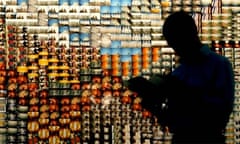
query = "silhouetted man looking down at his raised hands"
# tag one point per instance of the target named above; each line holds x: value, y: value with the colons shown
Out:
x: 199, y: 92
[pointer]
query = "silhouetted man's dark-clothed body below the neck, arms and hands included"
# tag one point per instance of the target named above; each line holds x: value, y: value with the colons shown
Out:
x: 199, y: 97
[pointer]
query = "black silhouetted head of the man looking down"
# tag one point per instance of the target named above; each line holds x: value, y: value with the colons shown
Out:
x: 180, y: 31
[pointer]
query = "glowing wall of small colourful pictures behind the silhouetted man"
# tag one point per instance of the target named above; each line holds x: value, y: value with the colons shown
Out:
x: 63, y: 63
